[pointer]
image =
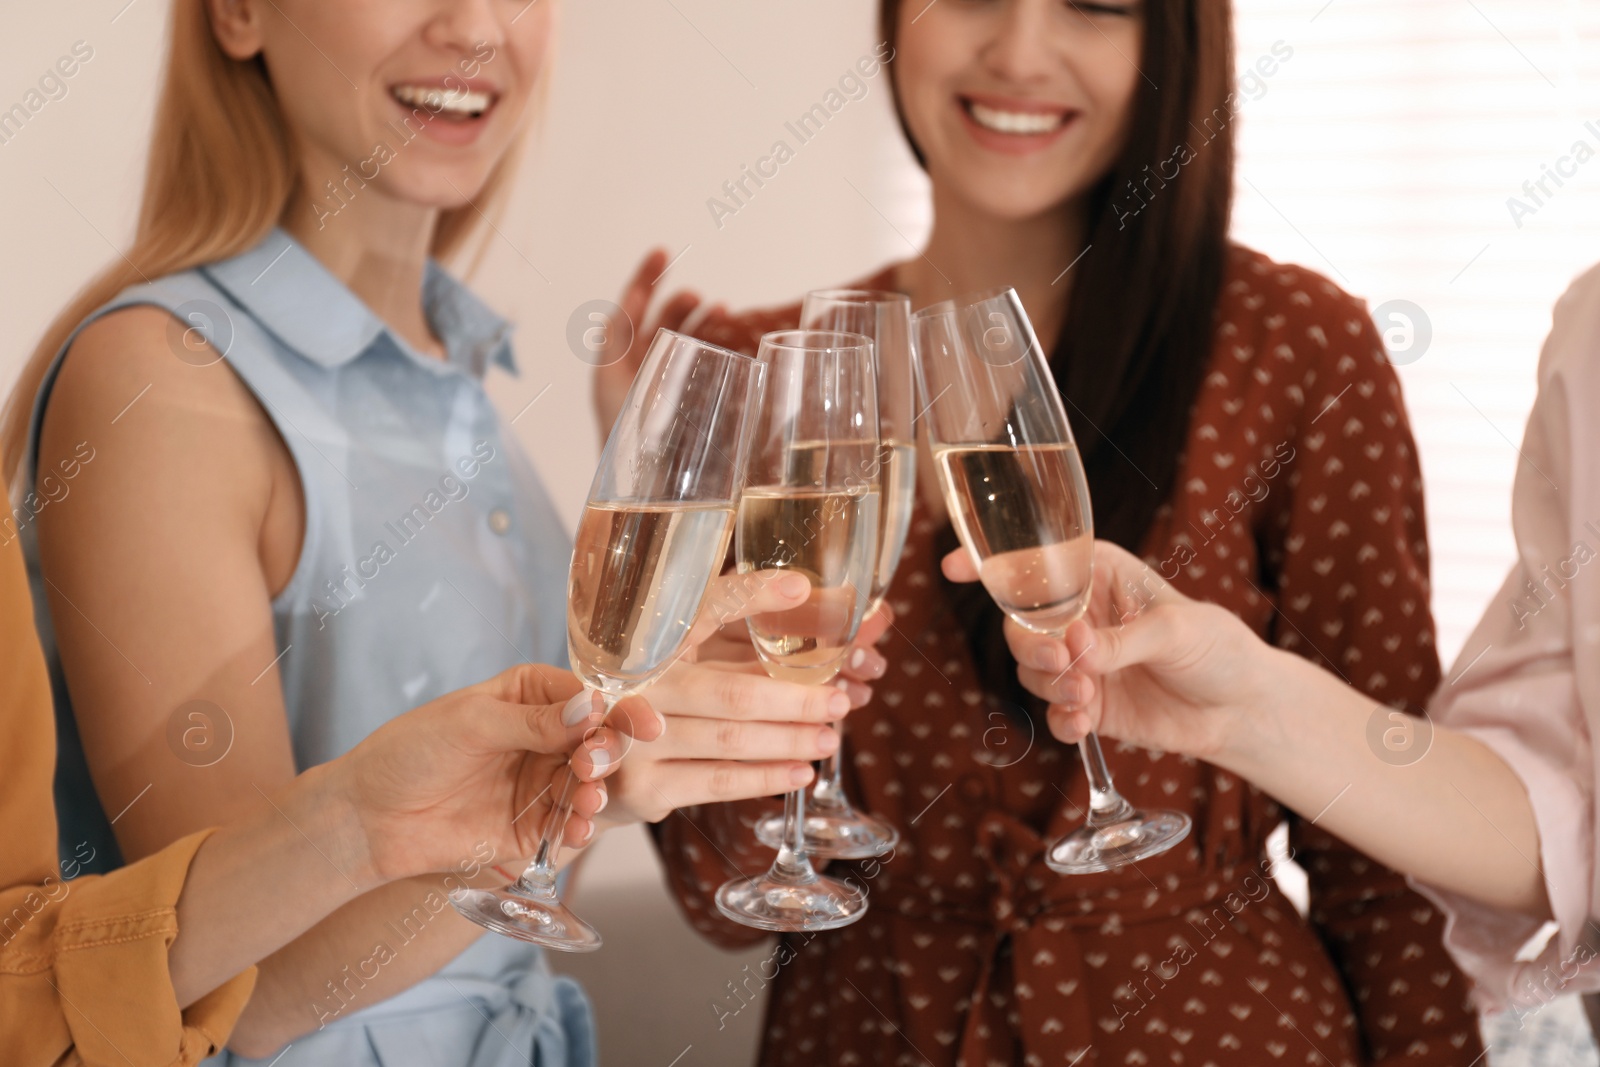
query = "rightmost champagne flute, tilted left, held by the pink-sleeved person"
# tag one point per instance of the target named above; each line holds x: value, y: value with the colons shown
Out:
x: 1020, y: 502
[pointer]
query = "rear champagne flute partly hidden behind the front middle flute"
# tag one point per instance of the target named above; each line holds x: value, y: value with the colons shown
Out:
x: 833, y: 828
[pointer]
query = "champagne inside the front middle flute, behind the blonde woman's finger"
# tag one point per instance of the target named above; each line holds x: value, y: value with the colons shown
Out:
x: 831, y: 538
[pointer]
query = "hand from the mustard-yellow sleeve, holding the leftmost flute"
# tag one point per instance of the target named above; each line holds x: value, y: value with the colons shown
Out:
x: 479, y: 765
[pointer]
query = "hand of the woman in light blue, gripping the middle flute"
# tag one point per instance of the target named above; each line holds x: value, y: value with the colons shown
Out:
x: 734, y: 733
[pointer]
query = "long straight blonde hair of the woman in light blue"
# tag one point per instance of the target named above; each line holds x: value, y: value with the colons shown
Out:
x: 222, y: 172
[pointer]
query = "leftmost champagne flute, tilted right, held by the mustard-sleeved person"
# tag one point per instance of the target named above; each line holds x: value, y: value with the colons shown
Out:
x: 652, y: 538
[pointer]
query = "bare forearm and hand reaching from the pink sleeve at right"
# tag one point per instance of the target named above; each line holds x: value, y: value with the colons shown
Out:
x: 1182, y: 676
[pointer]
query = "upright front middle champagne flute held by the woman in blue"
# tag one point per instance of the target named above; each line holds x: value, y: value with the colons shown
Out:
x: 810, y: 505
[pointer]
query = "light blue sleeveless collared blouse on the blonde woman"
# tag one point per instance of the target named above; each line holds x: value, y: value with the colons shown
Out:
x: 433, y: 559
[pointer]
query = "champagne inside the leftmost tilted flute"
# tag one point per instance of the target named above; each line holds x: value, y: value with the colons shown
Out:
x: 639, y: 578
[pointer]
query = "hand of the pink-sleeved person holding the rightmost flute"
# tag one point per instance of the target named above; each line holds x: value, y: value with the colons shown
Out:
x: 1146, y: 665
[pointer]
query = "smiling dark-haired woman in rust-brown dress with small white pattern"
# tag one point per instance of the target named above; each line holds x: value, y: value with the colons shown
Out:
x: 1242, y: 430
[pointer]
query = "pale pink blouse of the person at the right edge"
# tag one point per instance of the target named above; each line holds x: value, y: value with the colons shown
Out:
x: 1529, y: 681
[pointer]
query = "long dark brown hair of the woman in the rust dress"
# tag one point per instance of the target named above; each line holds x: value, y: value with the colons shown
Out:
x: 1140, y: 321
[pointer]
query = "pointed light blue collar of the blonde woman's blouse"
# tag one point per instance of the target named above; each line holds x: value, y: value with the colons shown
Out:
x: 289, y: 292
